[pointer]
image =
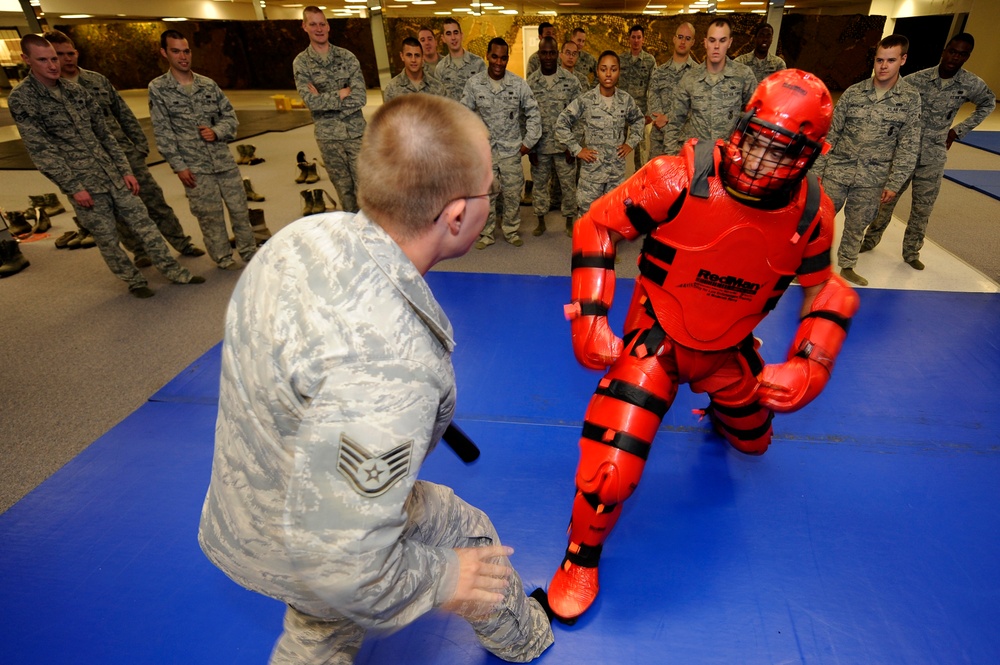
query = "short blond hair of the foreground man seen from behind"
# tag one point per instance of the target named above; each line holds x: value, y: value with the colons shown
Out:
x: 417, y: 155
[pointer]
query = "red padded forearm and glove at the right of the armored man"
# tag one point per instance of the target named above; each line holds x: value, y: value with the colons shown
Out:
x: 790, y: 385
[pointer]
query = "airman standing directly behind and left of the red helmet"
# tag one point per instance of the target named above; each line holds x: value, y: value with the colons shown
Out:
x: 710, y: 97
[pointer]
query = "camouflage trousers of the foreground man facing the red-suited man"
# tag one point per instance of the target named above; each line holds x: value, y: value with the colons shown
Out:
x: 517, y: 631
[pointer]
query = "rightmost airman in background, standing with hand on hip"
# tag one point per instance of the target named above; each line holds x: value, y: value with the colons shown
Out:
x: 943, y: 90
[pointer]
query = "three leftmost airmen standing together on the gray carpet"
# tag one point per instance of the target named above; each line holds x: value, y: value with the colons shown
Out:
x: 81, y: 135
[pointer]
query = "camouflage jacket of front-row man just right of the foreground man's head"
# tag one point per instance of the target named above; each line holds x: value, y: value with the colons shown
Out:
x: 502, y: 112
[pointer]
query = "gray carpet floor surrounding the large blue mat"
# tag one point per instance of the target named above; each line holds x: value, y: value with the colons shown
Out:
x: 79, y: 354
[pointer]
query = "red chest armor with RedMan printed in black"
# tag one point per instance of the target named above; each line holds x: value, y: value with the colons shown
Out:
x: 717, y: 268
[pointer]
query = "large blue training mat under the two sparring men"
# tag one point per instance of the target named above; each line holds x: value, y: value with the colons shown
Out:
x: 866, y: 534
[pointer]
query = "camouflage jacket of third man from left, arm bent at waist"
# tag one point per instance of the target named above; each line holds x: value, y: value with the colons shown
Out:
x: 176, y: 116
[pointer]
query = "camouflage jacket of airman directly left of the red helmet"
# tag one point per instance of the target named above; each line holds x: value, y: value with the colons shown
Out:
x: 705, y: 111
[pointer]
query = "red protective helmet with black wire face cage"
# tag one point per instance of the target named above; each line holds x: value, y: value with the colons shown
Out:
x: 779, y: 136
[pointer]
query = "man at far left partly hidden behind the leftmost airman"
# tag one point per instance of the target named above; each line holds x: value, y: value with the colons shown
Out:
x: 132, y: 140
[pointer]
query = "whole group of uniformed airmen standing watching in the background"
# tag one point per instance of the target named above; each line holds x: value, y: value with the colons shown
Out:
x: 574, y: 132
